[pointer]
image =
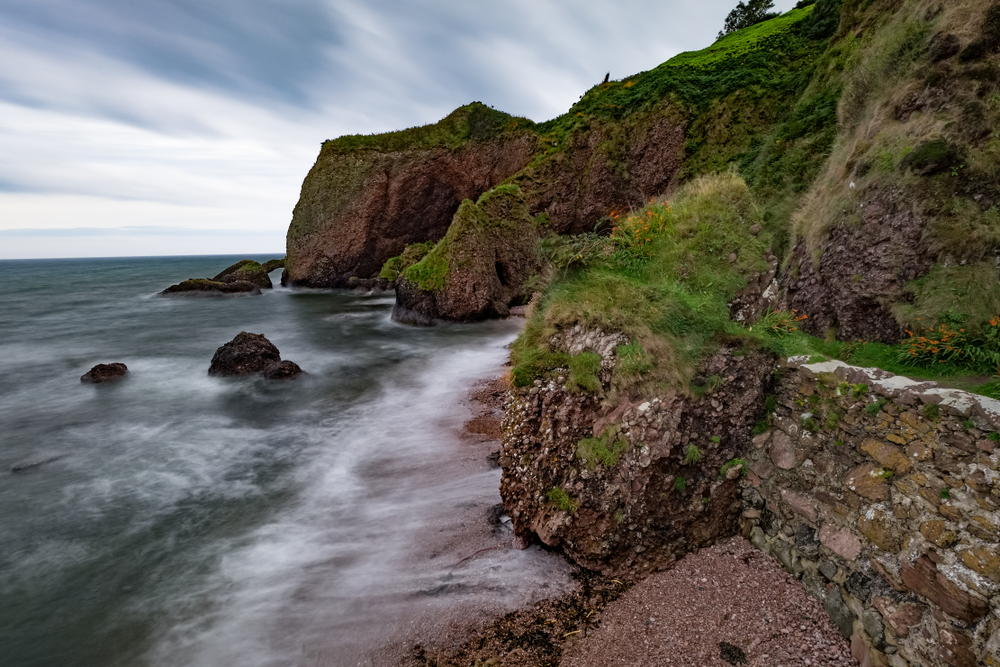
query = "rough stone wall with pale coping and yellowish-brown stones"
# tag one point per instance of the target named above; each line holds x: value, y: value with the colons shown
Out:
x: 882, y: 494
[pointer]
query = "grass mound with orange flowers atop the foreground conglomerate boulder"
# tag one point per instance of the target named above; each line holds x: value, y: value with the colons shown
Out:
x: 664, y: 279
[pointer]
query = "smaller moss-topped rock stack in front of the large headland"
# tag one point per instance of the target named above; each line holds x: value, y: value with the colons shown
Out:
x: 480, y: 267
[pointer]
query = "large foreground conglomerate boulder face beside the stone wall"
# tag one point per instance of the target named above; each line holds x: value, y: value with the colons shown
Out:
x: 631, y: 487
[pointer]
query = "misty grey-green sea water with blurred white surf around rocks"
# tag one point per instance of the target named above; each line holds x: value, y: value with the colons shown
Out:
x: 180, y: 519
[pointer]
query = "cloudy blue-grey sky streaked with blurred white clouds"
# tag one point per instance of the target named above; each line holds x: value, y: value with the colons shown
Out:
x: 185, y: 127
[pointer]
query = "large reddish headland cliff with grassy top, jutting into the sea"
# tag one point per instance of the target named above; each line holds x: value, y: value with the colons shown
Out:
x: 367, y: 198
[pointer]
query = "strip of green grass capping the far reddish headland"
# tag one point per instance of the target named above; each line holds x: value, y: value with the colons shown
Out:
x: 472, y: 122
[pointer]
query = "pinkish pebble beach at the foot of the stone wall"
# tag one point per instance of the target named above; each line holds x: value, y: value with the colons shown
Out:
x: 730, y: 593
